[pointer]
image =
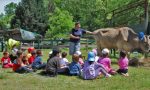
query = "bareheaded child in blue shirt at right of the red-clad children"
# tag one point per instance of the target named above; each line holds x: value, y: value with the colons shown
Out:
x: 37, y: 63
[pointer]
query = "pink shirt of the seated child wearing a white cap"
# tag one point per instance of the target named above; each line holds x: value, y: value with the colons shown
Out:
x: 106, y: 62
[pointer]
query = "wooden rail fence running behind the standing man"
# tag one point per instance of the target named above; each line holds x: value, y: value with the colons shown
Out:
x: 49, y: 44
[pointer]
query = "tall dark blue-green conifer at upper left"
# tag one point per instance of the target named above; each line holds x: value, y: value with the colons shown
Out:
x: 31, y: 15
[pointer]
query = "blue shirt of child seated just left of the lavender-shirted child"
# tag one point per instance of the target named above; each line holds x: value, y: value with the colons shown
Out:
x: 74, y: 68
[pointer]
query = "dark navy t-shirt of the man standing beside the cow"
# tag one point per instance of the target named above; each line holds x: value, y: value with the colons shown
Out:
x: 78, y: 33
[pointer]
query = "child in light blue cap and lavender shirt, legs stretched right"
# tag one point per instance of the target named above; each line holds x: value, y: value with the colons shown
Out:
x: 92, y: 69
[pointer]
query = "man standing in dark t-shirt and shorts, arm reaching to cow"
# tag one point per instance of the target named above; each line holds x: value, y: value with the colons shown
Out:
x: 75, y: 36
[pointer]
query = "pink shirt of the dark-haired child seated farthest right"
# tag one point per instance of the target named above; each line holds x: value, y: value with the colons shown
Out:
x: 123, y: 63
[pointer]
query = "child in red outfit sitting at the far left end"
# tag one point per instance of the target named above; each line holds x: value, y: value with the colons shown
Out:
x: 6, y: 63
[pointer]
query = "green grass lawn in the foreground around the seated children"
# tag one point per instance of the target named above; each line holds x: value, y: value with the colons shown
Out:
x: 139, y: 79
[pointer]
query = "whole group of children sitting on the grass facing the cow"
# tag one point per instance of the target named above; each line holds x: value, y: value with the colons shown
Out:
x: 57, y: 63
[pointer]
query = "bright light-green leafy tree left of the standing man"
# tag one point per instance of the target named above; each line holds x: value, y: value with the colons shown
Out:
x: 60, y: 24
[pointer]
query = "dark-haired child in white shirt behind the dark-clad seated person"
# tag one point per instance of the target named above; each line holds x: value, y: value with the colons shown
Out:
x: 64, y: 62
